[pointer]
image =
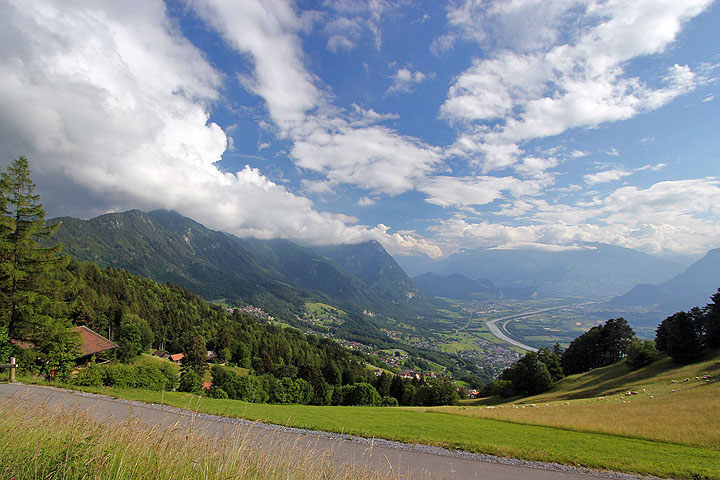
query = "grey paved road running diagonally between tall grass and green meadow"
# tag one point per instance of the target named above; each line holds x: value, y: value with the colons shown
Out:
x: 377, y: 455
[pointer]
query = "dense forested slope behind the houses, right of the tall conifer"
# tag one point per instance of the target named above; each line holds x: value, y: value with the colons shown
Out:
x: 106, y: 299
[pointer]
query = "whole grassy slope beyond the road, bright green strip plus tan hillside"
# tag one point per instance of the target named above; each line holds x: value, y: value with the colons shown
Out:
x: 658, y: 432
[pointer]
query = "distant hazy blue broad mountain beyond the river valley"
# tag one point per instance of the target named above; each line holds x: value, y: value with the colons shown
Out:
x: 595, y: 270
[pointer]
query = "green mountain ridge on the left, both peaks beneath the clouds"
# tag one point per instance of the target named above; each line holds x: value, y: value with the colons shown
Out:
x: 277, y: 274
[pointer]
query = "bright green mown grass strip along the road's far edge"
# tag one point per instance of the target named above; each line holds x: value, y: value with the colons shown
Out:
x: 483, y: 435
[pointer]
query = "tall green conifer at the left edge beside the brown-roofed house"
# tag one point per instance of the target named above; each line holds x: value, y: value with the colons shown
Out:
x: 30, y: 283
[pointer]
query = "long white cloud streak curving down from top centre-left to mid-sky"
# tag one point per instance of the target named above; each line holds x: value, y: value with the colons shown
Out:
x: 325, y: 139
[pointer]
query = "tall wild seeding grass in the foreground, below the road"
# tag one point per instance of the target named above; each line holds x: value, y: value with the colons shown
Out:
x: 36, y: 443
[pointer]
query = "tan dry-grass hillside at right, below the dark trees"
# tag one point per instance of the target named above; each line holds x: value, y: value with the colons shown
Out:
x: 684, y: 412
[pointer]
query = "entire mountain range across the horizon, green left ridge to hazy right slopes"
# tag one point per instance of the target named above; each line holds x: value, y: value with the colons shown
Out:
x: 282, y: 276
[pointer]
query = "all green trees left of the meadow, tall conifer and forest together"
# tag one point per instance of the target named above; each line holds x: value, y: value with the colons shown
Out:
x: 43, y: 294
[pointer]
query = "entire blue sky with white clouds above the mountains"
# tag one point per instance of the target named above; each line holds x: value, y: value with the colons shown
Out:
x: 429, y: 126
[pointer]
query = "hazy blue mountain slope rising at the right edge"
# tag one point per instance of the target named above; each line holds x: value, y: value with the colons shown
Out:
x: 691, y: 288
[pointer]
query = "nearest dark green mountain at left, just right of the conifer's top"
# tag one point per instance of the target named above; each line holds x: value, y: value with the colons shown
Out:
x: 166, y: 247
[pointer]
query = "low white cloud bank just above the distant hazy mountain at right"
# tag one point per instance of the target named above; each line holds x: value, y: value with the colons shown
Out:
x: 682, y: 216
